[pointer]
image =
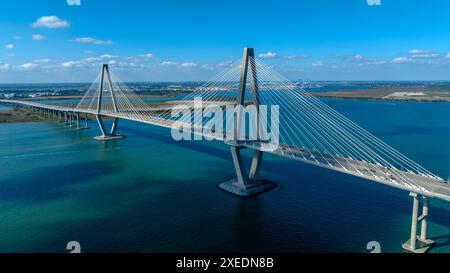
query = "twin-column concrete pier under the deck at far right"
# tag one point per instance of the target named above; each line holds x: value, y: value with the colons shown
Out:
x: 419, y: 244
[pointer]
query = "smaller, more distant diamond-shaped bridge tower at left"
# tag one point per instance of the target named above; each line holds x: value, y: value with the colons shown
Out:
x: 112, y: 133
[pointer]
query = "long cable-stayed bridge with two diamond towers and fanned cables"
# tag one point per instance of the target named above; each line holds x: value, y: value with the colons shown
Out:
x: 306, y: 130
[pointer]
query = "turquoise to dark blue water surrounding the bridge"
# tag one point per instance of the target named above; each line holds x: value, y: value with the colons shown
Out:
x: 148, y: 193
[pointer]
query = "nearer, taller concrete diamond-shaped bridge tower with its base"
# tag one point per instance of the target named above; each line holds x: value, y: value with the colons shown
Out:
x: 246, y: 184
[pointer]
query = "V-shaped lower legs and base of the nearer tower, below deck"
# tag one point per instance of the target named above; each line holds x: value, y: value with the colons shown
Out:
x: 246, y: 185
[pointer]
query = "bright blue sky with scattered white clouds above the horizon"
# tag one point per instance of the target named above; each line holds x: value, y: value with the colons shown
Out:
x: 52, y: 41
